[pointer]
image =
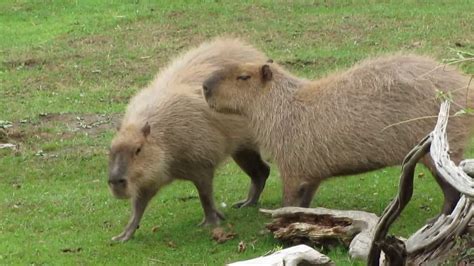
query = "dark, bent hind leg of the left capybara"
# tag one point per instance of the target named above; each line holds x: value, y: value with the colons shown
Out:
x: 251, y: 162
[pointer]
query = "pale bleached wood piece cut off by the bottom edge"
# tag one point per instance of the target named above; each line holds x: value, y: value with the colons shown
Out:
x: 289, y: 257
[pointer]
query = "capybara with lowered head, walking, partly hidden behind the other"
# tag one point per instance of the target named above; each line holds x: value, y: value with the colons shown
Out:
x: 169, y: 133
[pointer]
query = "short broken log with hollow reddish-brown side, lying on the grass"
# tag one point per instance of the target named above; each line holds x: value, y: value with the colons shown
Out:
x: 323, y: 226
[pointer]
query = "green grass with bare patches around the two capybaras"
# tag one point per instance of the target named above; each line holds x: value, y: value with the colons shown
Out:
x: 82, y: 58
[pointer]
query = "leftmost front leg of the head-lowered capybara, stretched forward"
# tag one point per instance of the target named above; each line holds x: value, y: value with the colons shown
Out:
x: 139, y: 204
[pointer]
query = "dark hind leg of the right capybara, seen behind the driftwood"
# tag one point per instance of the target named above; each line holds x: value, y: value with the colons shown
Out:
x: 451, y: 195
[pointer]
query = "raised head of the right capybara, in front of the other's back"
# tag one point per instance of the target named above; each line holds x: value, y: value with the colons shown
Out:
x: 231, y: 89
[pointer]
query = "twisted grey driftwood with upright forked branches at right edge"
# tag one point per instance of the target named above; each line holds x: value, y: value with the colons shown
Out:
x: 432, y: 243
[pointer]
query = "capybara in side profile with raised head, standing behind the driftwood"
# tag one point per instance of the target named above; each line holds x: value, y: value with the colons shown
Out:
x: 345, y: 123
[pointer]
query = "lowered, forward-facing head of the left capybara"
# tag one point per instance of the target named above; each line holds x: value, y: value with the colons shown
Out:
x: 126, y: 160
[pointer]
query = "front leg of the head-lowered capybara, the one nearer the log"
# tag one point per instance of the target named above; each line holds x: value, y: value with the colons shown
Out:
x: 211, y: 215
